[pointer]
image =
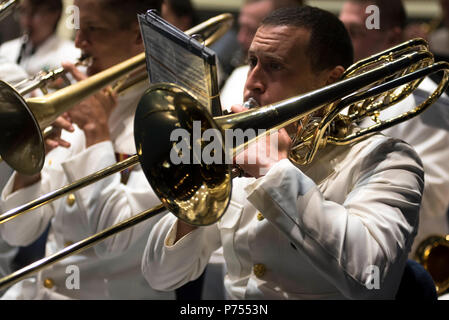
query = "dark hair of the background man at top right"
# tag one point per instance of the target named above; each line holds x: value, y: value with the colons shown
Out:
x: 392, y: 12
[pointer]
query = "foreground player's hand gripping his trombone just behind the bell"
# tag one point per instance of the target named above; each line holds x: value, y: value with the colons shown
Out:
x: 261, y: 155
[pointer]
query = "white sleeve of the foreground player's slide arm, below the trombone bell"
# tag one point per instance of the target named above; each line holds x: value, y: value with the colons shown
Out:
x: 167, y: 265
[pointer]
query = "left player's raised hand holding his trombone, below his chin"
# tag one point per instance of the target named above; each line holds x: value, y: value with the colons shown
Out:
x: 92, y: 114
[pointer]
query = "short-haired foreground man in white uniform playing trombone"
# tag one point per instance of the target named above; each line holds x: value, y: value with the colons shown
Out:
x: 338, y: 228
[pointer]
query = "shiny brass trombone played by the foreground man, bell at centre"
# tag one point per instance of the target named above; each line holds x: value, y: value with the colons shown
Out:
x: 190, y: 191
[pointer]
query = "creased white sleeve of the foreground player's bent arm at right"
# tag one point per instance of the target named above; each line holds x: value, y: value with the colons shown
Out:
x: 373, y: 227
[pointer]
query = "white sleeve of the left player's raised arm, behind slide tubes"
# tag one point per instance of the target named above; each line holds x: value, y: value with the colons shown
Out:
x: 109, y: 201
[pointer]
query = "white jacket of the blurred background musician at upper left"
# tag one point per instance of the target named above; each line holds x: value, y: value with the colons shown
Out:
x: 47, y: 56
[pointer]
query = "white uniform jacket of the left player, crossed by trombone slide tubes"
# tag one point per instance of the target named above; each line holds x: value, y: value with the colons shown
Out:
x: 111, y: 269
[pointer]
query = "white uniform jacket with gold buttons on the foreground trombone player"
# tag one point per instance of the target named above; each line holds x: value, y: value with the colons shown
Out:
x: 339, y: 228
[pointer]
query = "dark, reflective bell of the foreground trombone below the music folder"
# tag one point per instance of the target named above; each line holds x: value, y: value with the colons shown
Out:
x: 198, y: 193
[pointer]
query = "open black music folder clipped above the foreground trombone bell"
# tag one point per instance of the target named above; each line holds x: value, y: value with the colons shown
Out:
x: 174, y: 57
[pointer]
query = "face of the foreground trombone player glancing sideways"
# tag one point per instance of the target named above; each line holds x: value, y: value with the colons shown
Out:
x: 280, y: 65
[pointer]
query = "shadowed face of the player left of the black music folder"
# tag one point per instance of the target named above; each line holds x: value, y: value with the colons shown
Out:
x: 101, y: 36
